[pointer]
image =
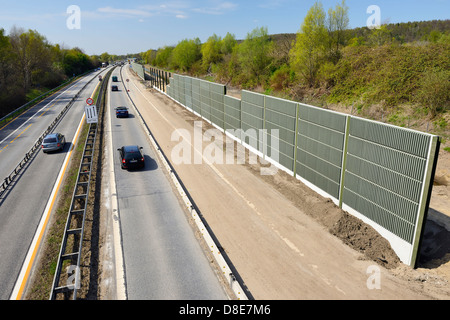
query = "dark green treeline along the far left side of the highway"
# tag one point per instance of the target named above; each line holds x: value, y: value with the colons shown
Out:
x: 30, y: 66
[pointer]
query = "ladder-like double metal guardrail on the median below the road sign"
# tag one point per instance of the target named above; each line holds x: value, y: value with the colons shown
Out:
x: 74, y: 229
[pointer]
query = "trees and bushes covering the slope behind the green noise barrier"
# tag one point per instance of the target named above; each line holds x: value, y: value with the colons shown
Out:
x: 325, y: 61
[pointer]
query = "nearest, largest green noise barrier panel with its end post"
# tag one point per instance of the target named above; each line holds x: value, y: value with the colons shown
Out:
x: 387, y: 179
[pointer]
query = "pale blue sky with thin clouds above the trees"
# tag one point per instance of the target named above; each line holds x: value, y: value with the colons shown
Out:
x: 121, y: 27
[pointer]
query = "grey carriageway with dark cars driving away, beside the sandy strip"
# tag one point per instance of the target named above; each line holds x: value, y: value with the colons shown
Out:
x: 162, y: 259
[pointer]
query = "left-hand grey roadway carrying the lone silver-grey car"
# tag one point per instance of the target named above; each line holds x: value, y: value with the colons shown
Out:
x: 23, y: 204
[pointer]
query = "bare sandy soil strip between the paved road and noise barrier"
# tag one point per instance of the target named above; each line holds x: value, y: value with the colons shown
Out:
x: 286, y: 241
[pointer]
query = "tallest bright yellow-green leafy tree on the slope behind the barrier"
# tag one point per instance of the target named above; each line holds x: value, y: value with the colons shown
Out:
x: 310, y: 46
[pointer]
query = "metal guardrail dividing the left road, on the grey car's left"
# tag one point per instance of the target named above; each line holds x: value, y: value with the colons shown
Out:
x: 10, y: 178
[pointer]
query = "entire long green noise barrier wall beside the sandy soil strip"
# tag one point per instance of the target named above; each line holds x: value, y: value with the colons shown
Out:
x: 380, y: 173
